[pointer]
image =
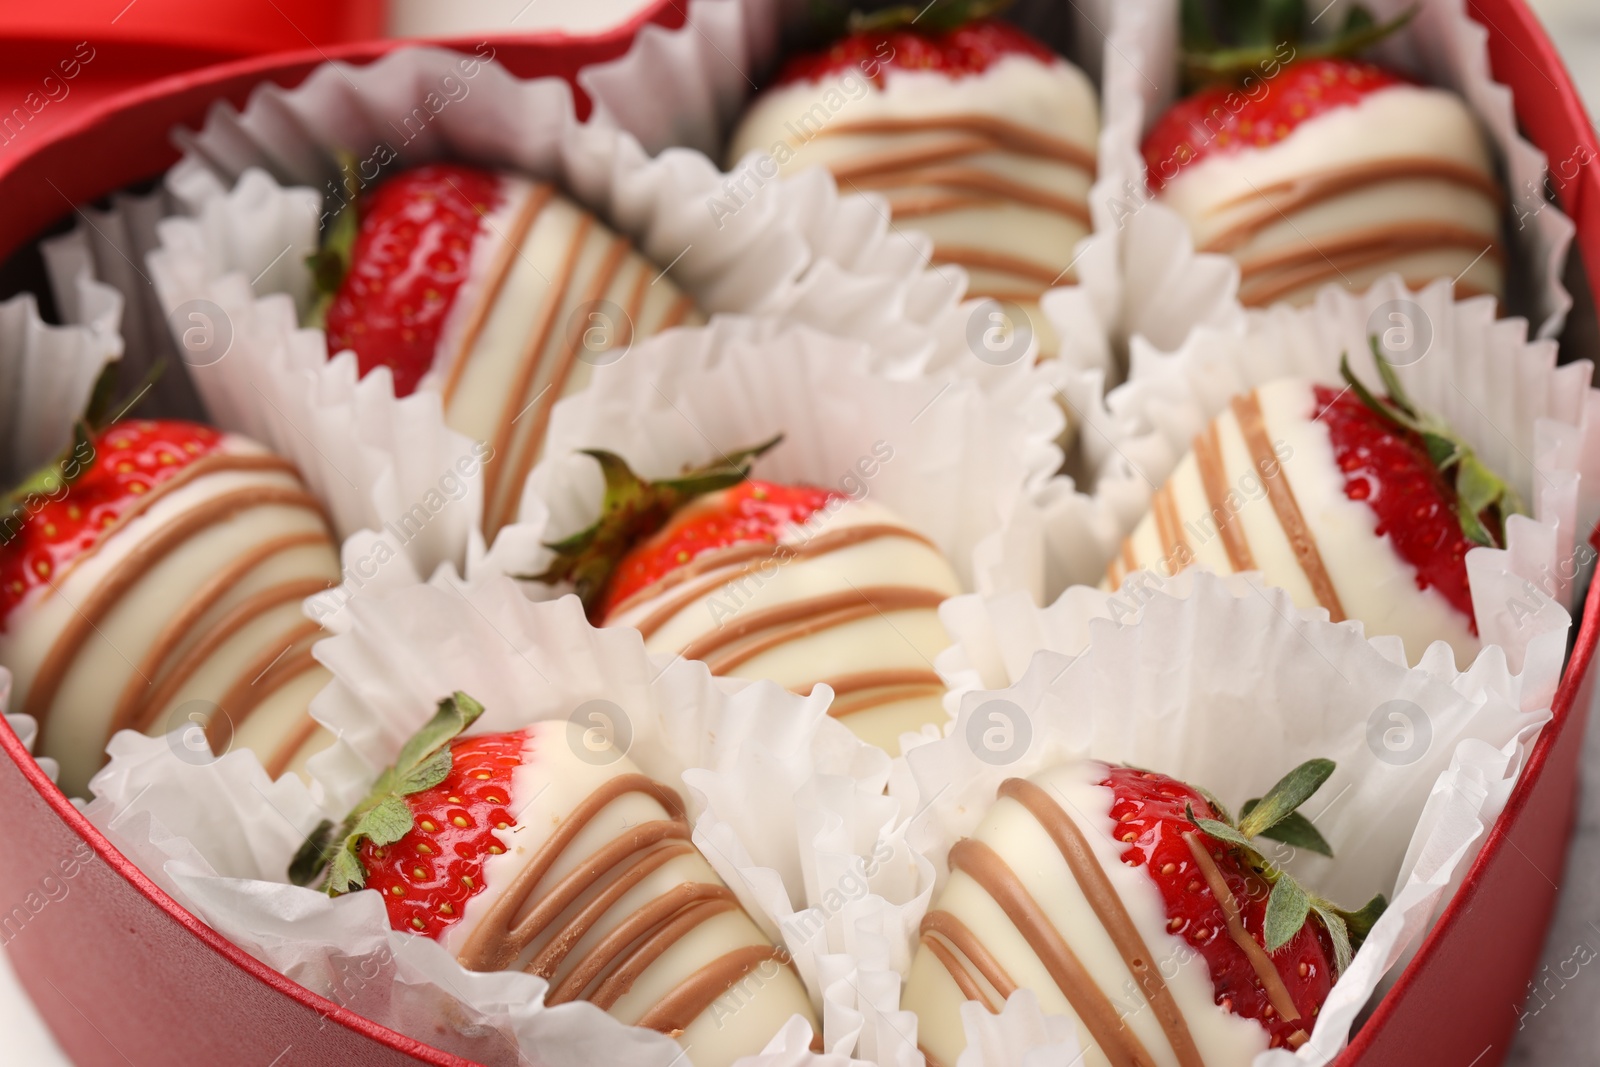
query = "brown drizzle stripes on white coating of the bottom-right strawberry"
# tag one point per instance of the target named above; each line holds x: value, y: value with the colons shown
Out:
x: 946, y: 935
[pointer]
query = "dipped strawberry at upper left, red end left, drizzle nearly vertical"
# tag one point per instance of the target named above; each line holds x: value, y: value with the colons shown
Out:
x: 494, y: 290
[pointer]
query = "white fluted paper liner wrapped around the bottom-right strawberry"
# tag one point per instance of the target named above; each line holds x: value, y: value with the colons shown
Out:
x: 1170, y: 687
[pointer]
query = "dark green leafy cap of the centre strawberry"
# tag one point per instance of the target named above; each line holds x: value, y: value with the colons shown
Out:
x: 633, y: 511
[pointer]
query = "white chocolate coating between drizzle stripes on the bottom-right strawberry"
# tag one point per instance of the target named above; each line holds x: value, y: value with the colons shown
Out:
x: 1039, y: 865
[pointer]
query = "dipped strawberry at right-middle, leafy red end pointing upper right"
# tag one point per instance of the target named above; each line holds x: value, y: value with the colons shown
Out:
x: 1356, y: 503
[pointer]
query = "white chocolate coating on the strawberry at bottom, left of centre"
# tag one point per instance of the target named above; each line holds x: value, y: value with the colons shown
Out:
x: 562, y: 769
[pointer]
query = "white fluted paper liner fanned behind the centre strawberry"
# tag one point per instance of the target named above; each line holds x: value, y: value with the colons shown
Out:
x: 967, y: 458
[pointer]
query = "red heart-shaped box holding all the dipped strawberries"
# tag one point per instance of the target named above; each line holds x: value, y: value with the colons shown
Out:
x: 126, y: 977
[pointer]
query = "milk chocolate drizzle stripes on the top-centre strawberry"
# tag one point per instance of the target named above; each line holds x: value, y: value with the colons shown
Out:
x: 940, y: 175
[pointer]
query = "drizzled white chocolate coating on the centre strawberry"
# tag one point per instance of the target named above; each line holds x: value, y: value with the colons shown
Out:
x: 849, y: 601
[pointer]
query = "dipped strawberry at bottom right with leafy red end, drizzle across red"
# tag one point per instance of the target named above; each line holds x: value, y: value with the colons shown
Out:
x: 1134, y: 905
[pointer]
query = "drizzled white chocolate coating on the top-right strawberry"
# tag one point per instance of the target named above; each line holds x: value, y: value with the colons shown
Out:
x: 1402, y: 182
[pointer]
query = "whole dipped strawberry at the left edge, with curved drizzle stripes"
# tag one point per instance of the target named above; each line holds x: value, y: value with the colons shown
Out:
x: 153, y: 578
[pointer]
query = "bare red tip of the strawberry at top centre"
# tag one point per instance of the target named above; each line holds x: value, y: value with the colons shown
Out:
x: 964, y: 50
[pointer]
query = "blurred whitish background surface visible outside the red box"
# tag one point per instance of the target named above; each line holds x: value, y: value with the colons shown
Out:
x: 1567, y: 1031
